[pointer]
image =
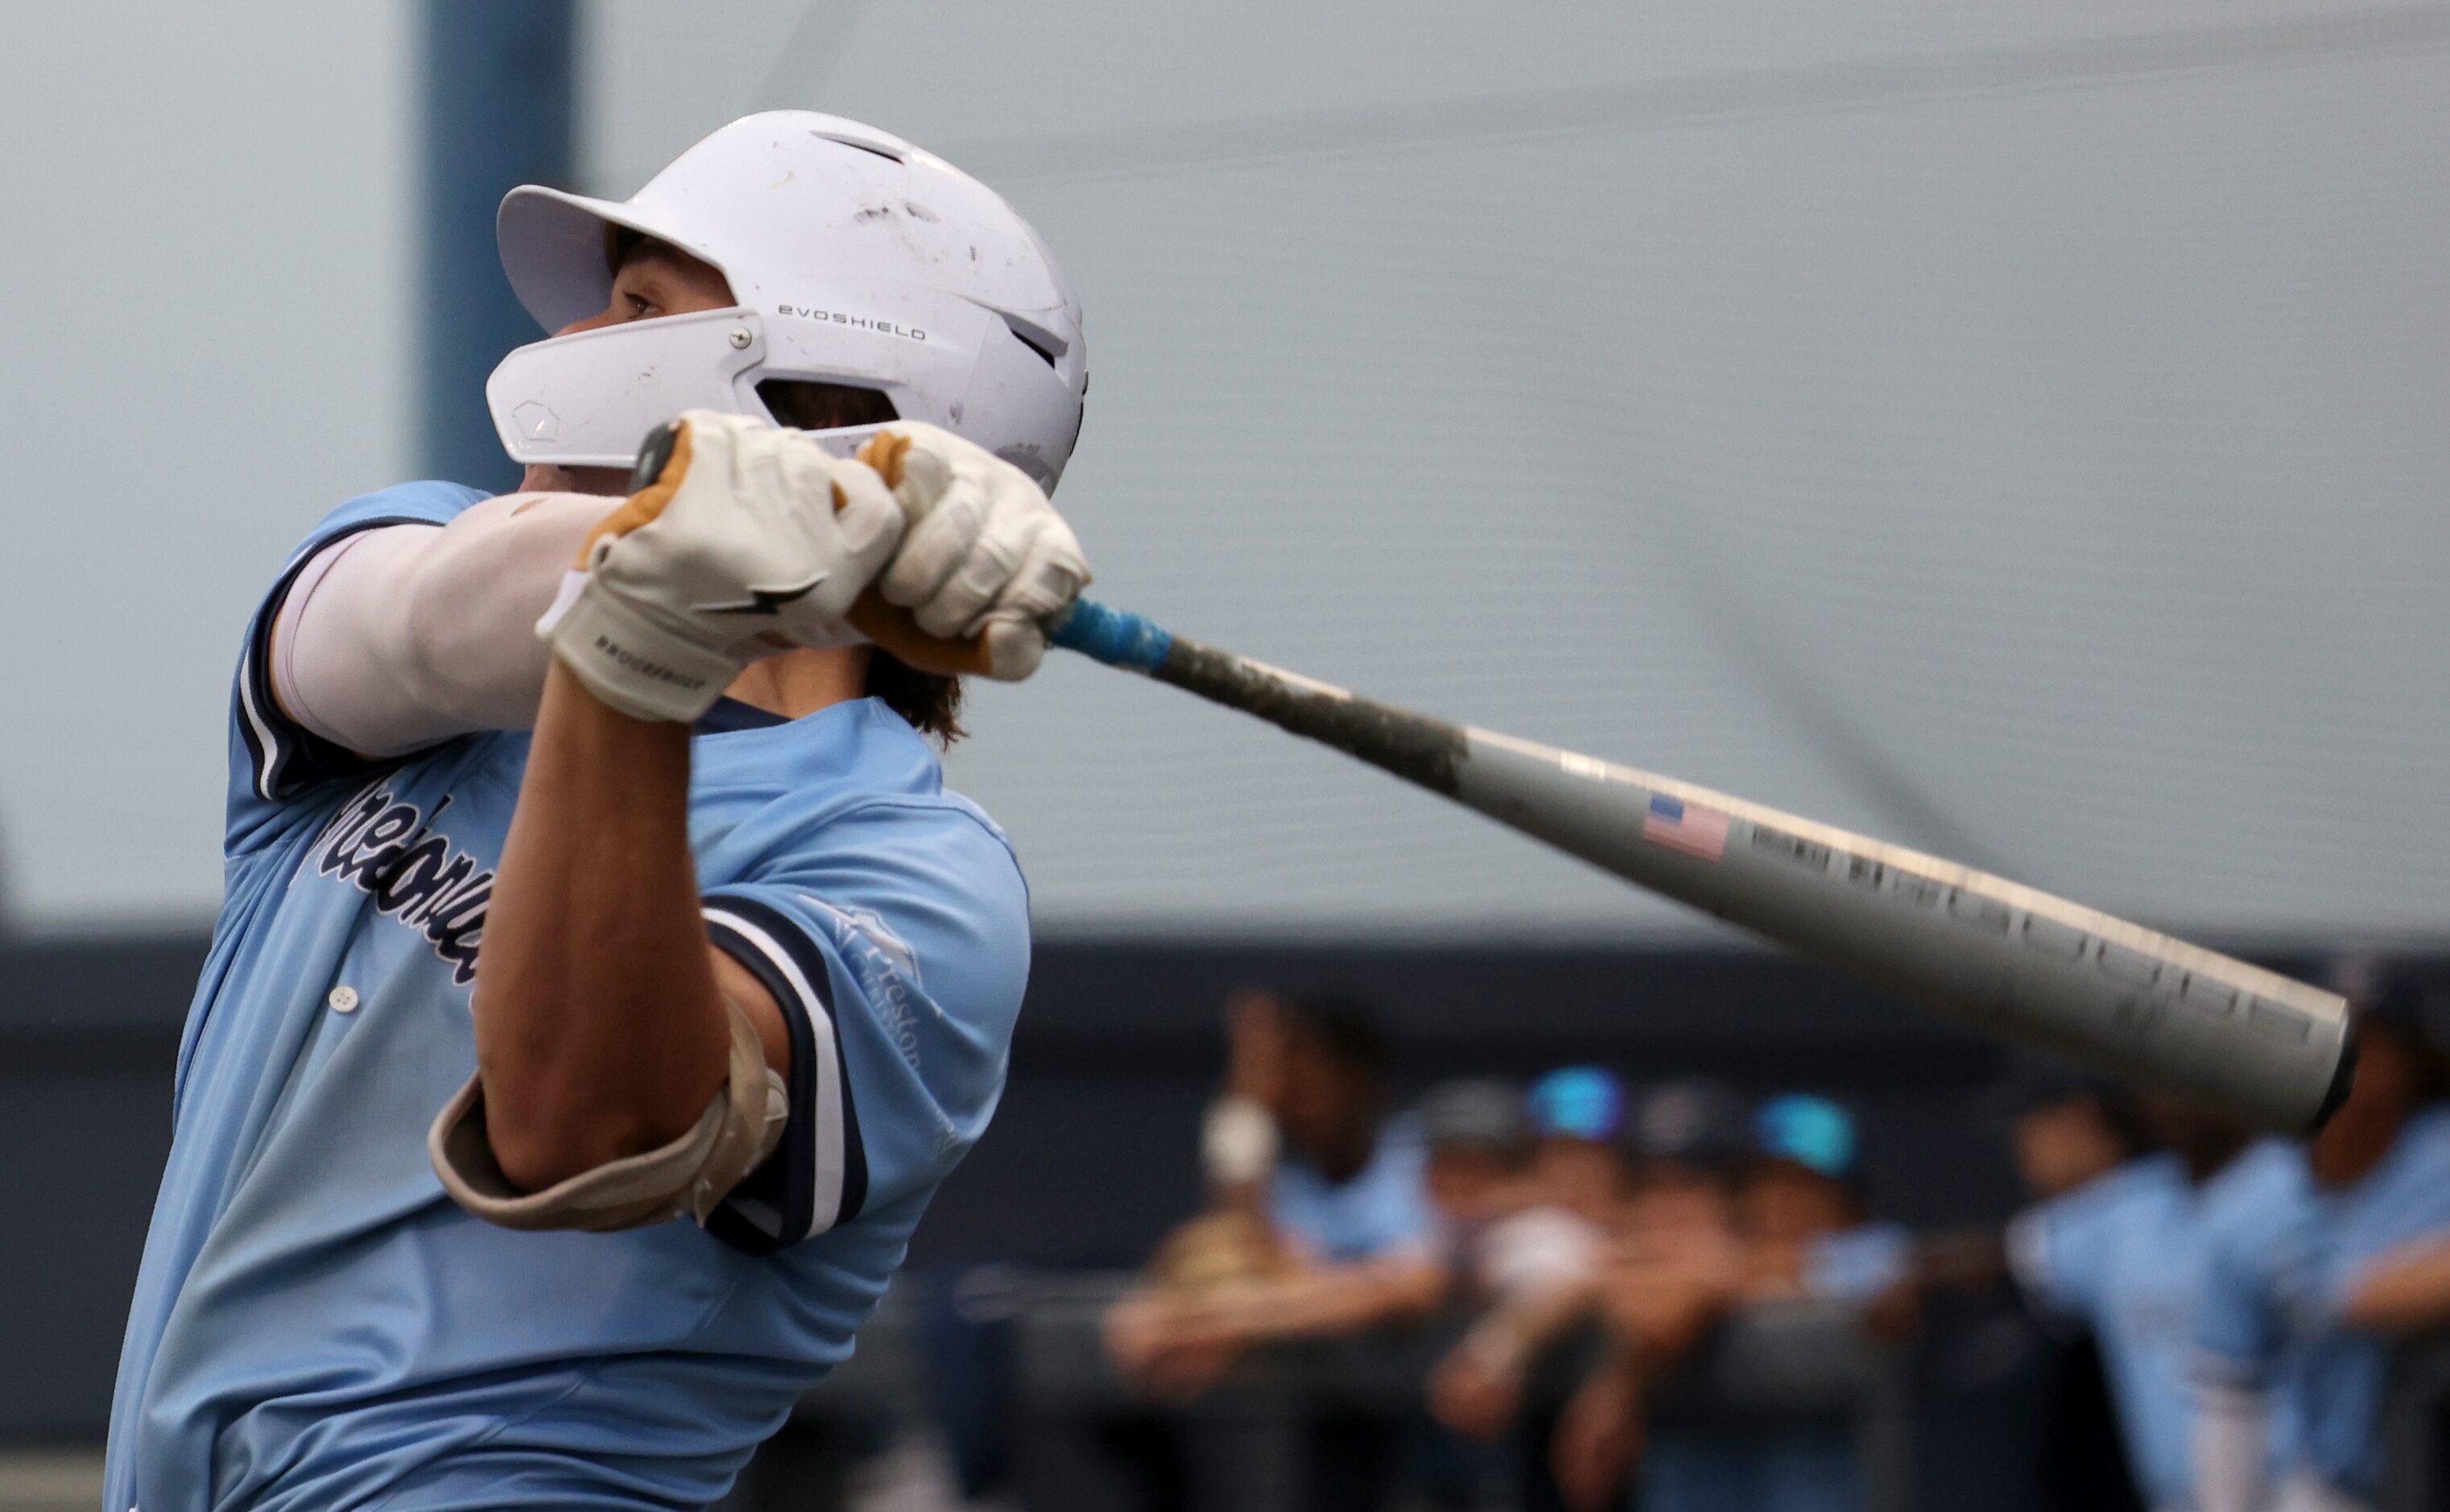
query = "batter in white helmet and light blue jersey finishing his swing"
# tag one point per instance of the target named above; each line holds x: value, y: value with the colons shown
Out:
x: 589, y: 869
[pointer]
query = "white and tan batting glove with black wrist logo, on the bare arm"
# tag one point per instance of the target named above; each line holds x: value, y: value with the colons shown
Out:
x: 736, y: 543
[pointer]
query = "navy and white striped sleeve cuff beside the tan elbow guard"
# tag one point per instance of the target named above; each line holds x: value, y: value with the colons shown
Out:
x: 817, y: 1177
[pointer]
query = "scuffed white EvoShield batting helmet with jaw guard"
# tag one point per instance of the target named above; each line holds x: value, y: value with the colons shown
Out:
x: 856, y: 261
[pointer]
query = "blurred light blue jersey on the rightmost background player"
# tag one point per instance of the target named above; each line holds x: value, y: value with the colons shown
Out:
x: 2280, y: 1271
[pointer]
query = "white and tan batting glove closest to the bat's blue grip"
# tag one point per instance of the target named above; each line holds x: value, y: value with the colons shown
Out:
x: 984, y: 555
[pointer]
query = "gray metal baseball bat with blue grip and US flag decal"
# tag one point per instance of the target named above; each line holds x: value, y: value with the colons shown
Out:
x: 1964, y: 945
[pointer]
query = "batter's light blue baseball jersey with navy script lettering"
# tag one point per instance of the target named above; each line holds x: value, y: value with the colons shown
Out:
x: 320, y: 1327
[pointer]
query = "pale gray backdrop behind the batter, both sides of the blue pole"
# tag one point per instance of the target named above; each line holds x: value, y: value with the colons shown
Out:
x: 2008, y: 433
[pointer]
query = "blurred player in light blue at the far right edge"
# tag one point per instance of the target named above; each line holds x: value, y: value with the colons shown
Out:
x: 2302, y: 1293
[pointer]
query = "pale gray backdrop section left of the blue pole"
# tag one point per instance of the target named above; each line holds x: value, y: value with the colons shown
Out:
x: 205, y: 271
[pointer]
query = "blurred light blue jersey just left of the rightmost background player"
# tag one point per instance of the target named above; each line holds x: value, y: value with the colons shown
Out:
x: 2125, y: 1256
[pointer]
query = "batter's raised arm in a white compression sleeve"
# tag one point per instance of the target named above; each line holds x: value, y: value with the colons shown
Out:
x: 415, y: 633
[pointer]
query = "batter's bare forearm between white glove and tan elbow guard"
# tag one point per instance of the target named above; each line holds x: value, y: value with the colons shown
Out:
x: 597, y: 1013
